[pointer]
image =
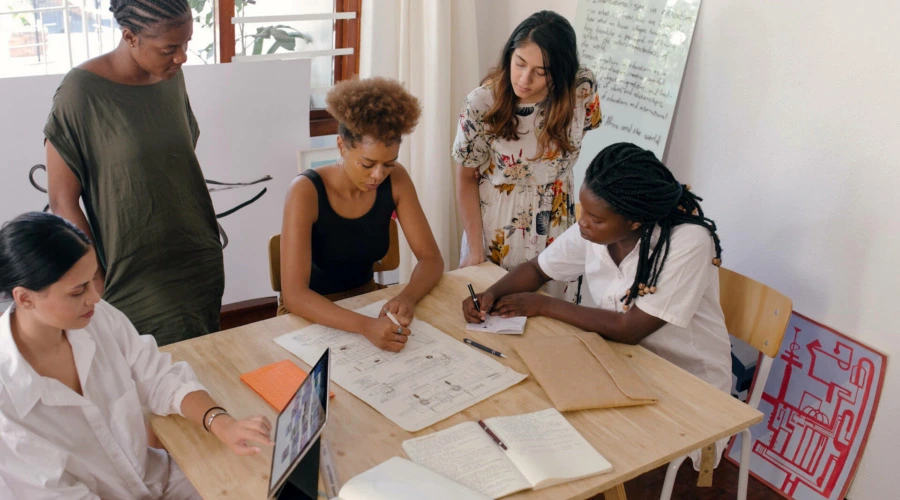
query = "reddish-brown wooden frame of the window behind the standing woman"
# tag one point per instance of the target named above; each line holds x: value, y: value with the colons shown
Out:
x: 346, y: 35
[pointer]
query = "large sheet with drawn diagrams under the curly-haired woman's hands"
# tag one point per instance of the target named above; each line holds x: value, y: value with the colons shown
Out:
x: 434, y: 377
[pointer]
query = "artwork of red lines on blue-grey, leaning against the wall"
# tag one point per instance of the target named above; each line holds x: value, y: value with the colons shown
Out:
x: 819, y: 404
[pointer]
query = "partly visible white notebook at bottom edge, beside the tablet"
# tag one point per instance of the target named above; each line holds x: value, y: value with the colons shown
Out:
x: 400, y: 479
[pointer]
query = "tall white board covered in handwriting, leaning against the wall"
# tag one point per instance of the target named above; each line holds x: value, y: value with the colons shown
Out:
x: 637, y: 50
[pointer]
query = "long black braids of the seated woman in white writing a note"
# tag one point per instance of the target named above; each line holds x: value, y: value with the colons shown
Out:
x: 640, y: 188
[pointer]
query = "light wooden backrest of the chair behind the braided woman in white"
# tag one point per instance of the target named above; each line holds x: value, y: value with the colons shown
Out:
x: 754, y: 313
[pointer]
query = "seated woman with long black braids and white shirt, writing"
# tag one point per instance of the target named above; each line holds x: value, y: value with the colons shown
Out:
x: 649, y: 257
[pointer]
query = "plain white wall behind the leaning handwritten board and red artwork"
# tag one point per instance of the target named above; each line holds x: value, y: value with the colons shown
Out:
x: 788, y: 126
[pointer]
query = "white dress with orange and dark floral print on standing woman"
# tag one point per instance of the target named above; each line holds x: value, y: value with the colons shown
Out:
x: 525, y: 203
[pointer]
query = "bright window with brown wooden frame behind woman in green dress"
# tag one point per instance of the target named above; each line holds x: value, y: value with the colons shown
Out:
x: 41, y: 37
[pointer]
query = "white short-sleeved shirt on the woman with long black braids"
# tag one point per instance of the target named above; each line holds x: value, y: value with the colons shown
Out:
x: 687, y: 295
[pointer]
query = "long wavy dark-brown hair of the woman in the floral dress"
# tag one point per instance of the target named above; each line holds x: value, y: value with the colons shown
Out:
x: 556, y: 38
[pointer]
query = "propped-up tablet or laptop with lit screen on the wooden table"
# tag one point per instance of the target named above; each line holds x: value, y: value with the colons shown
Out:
x: 297, y: 432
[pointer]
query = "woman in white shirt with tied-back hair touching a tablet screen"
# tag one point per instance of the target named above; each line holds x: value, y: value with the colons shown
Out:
x: 75, y: 379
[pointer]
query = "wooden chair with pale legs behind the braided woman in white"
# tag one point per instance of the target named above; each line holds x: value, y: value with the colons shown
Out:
x: 758, y: 315
